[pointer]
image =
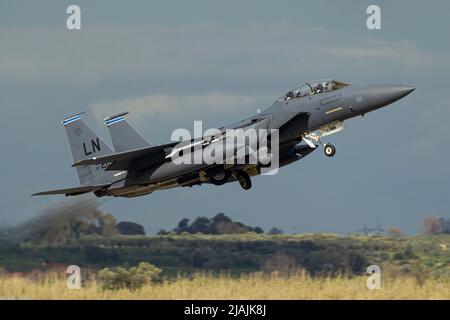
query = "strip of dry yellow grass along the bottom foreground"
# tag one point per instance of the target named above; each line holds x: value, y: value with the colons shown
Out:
x: 253, y: 286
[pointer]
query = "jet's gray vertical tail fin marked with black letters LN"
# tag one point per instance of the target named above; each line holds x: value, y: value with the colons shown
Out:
x: 85, y: 143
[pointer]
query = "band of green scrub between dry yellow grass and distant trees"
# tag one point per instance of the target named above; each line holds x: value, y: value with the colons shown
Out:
x: 318, y: 254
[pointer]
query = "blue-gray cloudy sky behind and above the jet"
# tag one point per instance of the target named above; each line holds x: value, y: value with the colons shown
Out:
x: 172, y: 62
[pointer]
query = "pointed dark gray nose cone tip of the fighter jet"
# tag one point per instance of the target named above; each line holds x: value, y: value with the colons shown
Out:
x: 382, y: 95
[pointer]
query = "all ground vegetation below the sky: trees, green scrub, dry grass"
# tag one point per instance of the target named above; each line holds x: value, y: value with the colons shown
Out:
x: 226, y: 260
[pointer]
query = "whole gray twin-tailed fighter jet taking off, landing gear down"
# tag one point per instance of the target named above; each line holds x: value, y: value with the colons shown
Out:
x: 303, y: 117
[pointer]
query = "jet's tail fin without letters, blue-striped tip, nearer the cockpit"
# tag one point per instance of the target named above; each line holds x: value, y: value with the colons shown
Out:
x: 124, y: 137
